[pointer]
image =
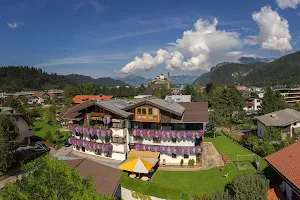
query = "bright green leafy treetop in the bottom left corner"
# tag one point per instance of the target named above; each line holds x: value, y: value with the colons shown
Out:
x: 51, y: 179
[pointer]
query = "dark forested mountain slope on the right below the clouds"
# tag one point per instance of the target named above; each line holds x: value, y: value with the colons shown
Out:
x: 282, y: 71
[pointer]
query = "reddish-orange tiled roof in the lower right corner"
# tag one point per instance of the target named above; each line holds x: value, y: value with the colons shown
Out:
x: 287, y: 163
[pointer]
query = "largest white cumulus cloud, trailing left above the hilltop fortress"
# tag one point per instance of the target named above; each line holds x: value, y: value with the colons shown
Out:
x: 198, y: 49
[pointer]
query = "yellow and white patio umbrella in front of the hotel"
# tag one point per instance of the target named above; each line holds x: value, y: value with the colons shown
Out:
x: 137, y: 165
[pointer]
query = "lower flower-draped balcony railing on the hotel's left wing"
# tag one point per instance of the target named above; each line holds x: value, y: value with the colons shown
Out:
x: 91, y: 145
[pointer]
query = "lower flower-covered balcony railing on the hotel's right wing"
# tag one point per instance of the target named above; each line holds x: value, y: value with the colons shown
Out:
x: 169, y: 149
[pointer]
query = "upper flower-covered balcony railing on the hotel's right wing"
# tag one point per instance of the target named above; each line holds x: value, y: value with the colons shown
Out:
x: 168, y: 134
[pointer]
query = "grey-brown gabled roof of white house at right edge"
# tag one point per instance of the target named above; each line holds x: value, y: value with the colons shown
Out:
x: 280, y: 118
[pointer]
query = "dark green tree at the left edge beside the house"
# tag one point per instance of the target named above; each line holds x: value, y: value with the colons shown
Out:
x: 9, y: 142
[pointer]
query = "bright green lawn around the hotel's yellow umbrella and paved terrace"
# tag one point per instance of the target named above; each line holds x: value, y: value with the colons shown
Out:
x: 171, y: 184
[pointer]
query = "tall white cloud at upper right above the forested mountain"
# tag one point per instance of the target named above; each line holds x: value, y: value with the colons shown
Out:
x: 273, y: 31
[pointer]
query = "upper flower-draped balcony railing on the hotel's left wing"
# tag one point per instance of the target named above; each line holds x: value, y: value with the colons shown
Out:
x: 99, y: 131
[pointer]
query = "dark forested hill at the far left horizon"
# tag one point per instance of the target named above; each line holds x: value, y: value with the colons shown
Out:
x: 18, y: 78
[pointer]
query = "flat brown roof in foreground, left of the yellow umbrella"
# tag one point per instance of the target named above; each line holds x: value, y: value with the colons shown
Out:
x: 105, y: 178
